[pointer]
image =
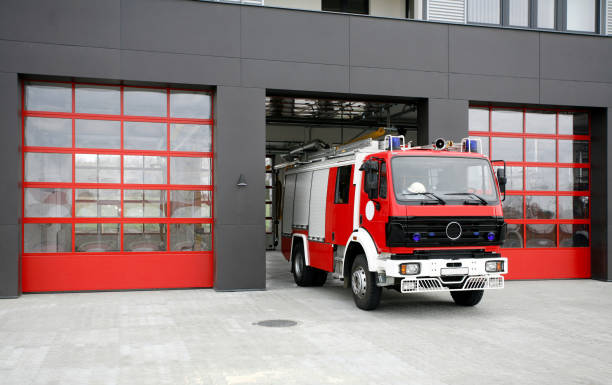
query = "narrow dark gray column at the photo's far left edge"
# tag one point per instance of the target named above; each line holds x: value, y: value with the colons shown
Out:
x: 10, y: 190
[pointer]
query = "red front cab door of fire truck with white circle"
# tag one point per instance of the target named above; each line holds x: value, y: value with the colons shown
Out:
x: 374, y: 209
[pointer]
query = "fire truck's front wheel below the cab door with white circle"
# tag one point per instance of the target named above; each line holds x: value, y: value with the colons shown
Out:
x: 363, y: 285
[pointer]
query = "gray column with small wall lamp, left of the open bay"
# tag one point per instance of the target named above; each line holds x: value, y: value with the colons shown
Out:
x: 239, y: 230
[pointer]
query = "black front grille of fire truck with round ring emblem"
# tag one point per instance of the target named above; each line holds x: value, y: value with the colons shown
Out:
x: 445, y: 231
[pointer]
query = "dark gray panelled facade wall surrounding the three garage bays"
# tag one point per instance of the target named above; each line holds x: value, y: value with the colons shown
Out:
x: 245, y: 50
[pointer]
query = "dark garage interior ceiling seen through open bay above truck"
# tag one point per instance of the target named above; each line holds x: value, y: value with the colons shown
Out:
x: 292, y: 121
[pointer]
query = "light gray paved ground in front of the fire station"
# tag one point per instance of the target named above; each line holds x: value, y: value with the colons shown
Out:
x: 532, y: 332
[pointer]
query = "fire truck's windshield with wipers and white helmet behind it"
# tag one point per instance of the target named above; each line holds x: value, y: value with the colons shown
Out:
x: 443, y: 179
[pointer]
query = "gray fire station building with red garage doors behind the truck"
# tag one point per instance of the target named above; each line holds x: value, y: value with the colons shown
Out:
x: 140, y: 137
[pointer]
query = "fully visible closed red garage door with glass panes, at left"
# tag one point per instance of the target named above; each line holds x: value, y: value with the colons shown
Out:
x: 117, y: 187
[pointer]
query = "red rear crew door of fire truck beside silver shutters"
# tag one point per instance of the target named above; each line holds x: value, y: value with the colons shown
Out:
x: 340, y: 201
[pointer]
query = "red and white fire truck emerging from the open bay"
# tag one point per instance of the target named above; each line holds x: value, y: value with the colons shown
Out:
x: 385, y: 214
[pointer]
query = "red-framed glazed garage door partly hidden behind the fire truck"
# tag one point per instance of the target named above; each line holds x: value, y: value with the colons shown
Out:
x: 547, y: 207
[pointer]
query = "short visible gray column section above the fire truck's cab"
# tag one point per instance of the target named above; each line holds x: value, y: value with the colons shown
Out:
x: 442, y: 118
